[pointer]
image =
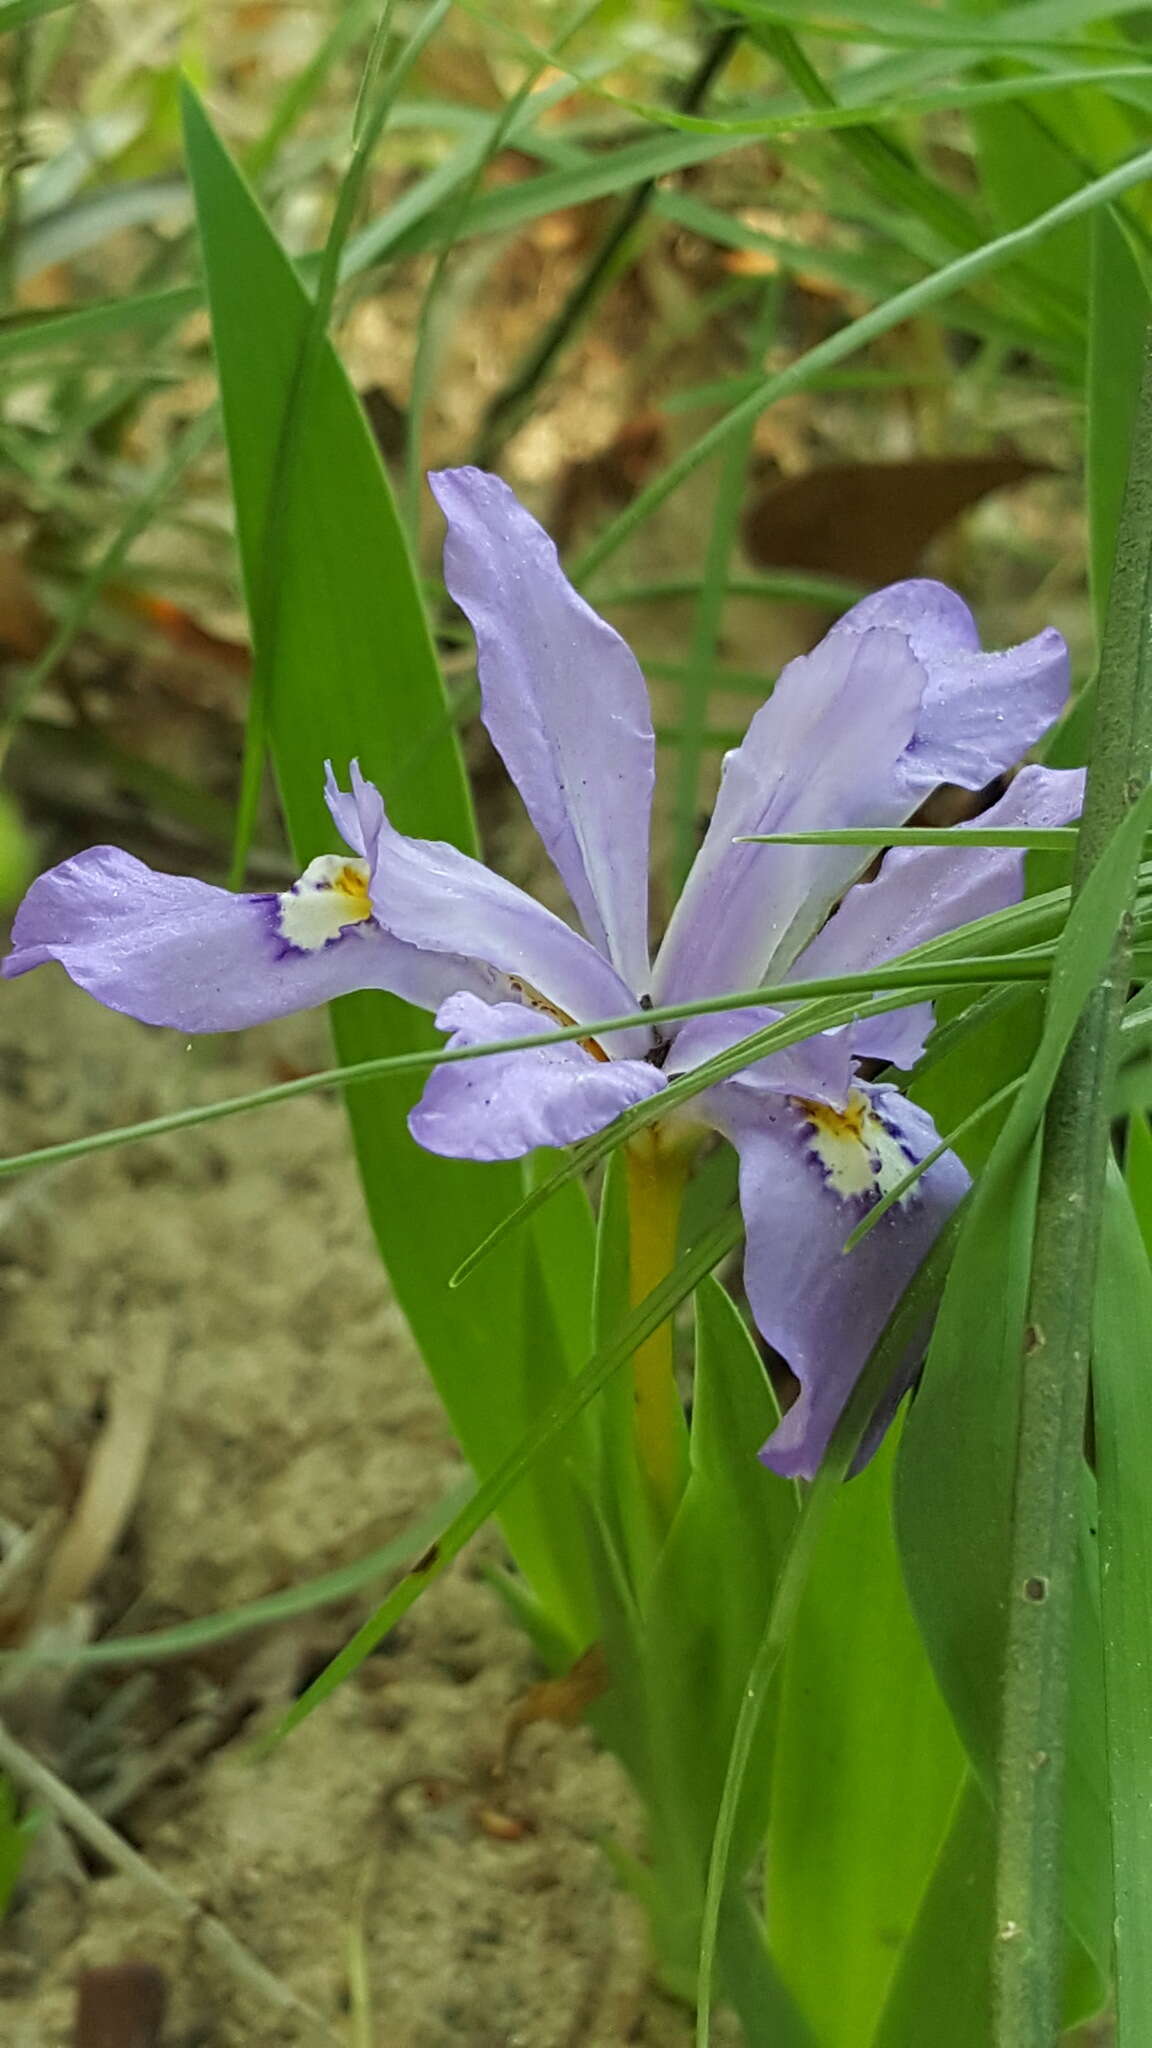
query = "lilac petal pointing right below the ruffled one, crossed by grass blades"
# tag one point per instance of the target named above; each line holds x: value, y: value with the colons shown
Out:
x: 925, y: 892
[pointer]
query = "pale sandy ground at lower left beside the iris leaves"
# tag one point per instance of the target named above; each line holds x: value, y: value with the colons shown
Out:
x: 374, y: 1865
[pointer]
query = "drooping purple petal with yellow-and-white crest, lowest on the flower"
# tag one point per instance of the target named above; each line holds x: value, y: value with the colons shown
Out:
x: 819, y: 1308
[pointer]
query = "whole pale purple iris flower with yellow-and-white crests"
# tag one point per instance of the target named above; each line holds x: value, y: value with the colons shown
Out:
x: 895, y: 701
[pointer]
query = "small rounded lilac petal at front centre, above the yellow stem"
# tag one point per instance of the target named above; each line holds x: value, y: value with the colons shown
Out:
x: 507, y: 1105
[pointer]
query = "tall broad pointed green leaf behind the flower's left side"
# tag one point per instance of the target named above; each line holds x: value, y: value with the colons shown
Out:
x: 356, y: 675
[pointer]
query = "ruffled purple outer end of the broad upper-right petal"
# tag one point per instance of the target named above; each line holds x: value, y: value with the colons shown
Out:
x: 983, y: 712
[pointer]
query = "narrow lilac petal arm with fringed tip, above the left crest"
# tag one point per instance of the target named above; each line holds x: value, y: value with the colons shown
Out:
x: 440, y: 900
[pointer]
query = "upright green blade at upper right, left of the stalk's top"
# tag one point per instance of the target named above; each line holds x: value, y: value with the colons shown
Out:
x: 1118, y: 316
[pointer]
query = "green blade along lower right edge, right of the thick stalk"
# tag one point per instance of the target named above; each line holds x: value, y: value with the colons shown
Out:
x: 1124, y: 1447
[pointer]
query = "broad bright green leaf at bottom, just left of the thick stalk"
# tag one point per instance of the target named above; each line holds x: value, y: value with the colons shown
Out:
x: 868, y: 1768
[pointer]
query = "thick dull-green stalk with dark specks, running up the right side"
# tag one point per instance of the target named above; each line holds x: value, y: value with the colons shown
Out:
x: 1030, y: 1924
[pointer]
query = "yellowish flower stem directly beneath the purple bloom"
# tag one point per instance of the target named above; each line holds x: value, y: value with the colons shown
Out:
x: 657, y: 1175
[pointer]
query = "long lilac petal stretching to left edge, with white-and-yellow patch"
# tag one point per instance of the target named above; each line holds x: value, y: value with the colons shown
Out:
x: 175, y: 951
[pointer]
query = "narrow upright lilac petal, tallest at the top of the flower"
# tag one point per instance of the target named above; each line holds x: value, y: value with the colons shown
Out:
x: 565, y: 703
